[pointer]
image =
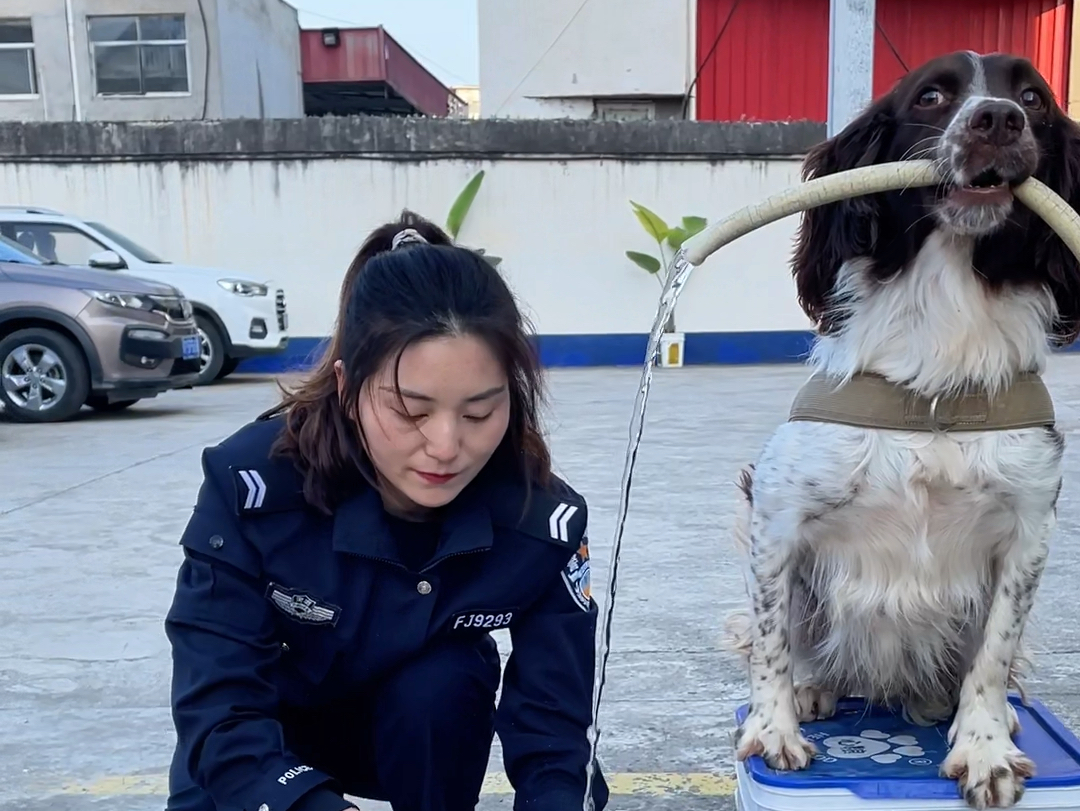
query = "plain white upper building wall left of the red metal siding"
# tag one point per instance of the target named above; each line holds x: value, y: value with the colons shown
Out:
x: 613, y: 48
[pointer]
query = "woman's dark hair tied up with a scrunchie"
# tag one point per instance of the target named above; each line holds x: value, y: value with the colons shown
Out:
x: 391, y: 300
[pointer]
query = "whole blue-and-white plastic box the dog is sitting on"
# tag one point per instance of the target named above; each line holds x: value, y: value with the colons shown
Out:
x: 872, y: 759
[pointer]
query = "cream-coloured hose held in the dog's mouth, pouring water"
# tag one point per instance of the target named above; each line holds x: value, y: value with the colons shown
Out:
x: 856, y: 183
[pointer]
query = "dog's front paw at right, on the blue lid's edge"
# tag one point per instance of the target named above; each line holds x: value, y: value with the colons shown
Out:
x: 991, y: 771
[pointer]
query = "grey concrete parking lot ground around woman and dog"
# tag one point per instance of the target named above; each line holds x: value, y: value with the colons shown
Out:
x: 91, y: 512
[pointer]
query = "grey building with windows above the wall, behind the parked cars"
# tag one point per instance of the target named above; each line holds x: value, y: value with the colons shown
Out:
x: 150, y: 60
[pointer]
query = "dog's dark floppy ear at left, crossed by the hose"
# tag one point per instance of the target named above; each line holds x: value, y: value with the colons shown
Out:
x: 833, y: 234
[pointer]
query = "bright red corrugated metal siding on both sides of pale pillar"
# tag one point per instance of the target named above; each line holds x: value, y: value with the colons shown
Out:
x: 772, y: 61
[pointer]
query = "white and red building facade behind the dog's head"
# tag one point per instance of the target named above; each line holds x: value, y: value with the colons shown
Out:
x: 738, y: 60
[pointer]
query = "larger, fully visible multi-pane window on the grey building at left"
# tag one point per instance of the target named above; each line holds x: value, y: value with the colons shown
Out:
x: 140, y: 56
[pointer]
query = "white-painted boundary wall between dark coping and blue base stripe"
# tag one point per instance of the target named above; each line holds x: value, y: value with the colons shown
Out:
x: 562, y: 228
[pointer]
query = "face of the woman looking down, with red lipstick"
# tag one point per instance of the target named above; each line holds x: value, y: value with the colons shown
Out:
x: 456, y: 413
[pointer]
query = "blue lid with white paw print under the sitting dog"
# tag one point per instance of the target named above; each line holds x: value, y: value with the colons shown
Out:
x: 875, y: 754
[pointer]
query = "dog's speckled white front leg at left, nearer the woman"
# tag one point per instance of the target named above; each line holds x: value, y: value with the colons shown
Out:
x: 772, y: 728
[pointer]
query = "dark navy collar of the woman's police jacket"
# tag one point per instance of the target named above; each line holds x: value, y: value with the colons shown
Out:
x: 360, y: 529
